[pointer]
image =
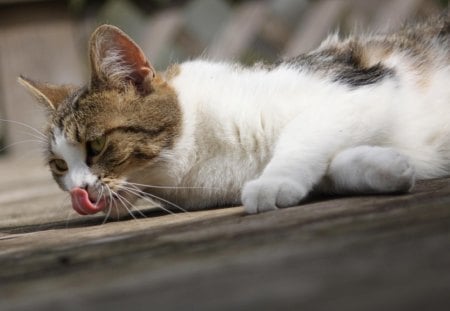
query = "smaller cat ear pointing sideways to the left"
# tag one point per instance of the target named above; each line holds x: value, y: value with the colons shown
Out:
x: 47, y: 94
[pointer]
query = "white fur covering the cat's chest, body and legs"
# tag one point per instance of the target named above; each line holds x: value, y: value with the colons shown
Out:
x: 277, y: 132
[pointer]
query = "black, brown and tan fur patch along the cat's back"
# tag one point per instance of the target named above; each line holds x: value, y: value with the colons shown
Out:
x: 418, y: 49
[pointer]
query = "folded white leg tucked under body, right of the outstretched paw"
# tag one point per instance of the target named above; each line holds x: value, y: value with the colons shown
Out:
x: 370, y: 169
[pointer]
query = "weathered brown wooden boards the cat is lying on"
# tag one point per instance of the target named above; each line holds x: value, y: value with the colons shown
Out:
x: 358, y: 253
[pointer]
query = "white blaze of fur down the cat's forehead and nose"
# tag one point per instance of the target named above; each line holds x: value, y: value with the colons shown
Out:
x: 79, y: 174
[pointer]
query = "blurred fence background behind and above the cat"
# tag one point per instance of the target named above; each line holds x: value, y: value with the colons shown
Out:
x: 47, y: 40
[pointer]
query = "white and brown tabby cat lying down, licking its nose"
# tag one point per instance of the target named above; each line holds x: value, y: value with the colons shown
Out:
x: 361, y: 115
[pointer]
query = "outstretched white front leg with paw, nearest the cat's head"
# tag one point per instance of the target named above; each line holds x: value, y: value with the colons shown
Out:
x: 298, y: 164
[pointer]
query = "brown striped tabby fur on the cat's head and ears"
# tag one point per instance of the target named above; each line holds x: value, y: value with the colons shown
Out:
x: 138, y: 121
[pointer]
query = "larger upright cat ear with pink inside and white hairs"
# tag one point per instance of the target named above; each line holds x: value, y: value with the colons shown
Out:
x: 116, y: 59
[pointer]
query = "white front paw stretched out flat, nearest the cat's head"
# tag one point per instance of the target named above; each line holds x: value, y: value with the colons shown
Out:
x: 267, y: 194
